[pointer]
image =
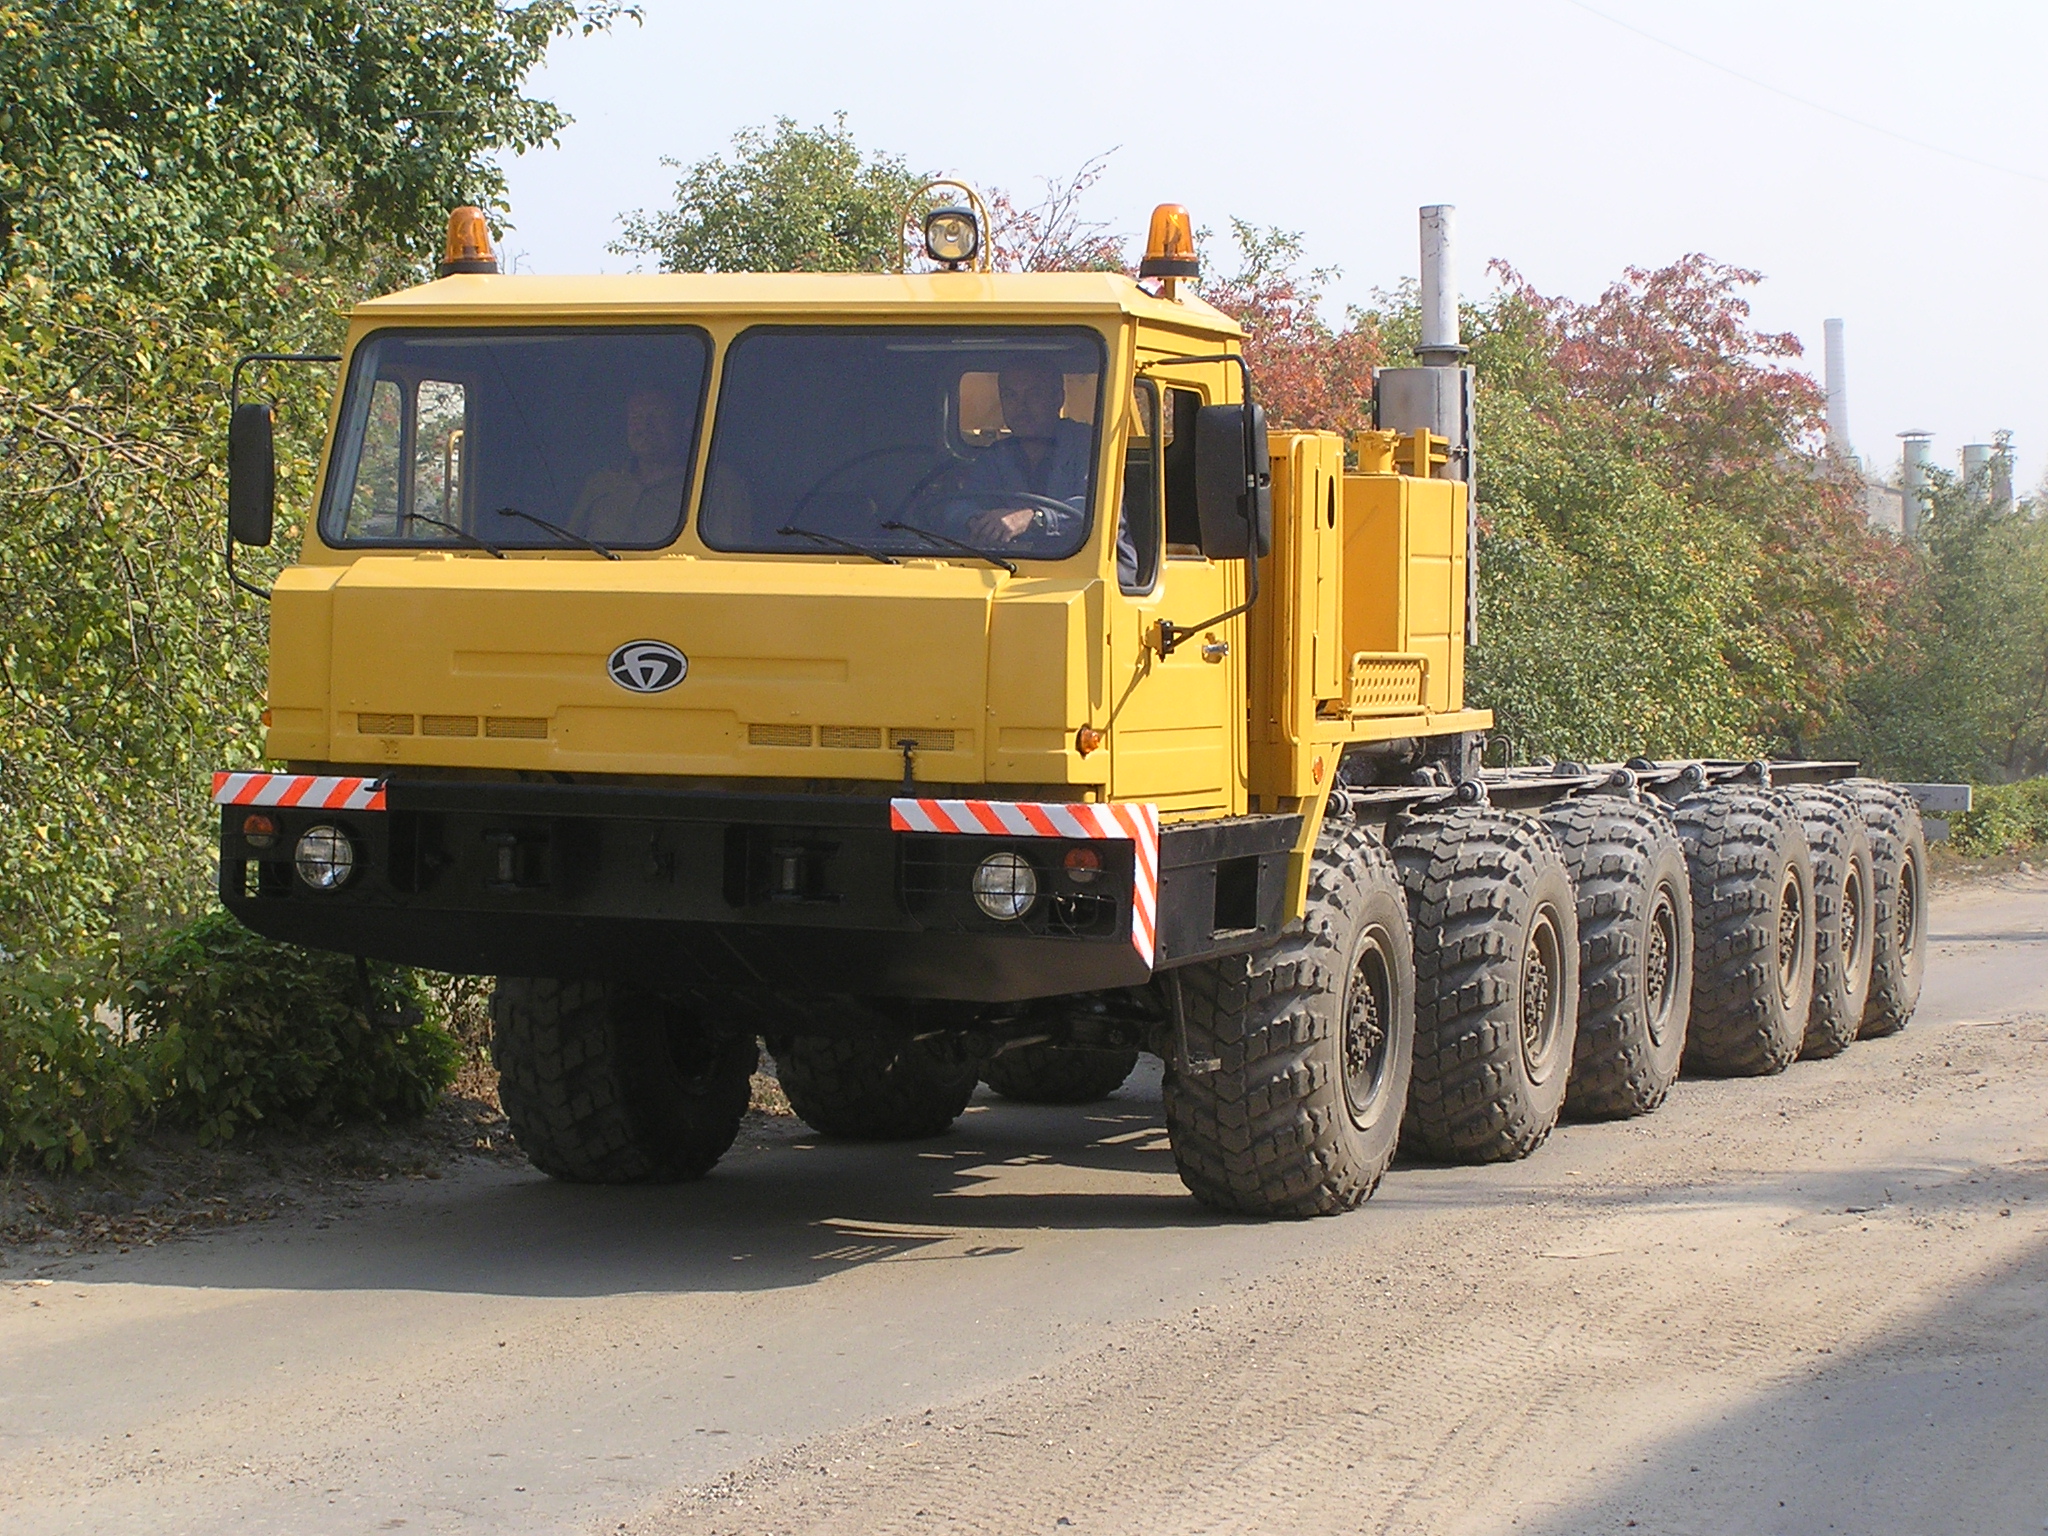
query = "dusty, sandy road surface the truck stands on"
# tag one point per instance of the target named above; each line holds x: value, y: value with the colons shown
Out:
x: 1789, y: 1306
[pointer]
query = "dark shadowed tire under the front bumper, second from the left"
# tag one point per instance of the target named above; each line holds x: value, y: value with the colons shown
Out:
x: 876, y: 1084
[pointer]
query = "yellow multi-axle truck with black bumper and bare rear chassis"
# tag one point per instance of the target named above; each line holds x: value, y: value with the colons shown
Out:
x: 951, y: 677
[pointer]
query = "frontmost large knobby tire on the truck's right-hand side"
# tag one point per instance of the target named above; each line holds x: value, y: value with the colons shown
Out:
x: 1312, y: 1041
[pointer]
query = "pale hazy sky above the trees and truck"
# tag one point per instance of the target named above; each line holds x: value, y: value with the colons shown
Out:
x: 1879, y: 163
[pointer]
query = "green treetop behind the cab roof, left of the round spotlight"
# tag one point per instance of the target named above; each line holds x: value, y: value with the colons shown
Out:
x: 794, y: 202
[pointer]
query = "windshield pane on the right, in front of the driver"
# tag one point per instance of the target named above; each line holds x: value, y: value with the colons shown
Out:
x: 906, y: 441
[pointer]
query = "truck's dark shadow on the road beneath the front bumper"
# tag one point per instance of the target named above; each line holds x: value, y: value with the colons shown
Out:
x: 783, y: 1209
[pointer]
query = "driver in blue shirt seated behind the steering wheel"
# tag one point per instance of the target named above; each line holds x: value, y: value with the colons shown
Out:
x: 1041, y: 454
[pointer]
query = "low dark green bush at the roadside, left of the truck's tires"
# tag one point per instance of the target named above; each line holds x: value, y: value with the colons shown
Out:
x: 241, y: 1029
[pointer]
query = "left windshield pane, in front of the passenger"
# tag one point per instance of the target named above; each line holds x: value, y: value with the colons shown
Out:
x: 517, y: 439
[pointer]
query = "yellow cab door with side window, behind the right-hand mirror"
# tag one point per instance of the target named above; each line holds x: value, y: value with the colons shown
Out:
x: 1177, y: 720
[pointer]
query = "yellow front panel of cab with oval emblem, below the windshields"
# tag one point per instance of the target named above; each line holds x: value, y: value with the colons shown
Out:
x: 683, y: 669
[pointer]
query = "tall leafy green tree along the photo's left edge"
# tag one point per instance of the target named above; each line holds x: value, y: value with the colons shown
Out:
x: 179, y: 181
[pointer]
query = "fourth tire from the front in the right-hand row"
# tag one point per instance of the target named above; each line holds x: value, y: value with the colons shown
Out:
x: 1752, y: 923
